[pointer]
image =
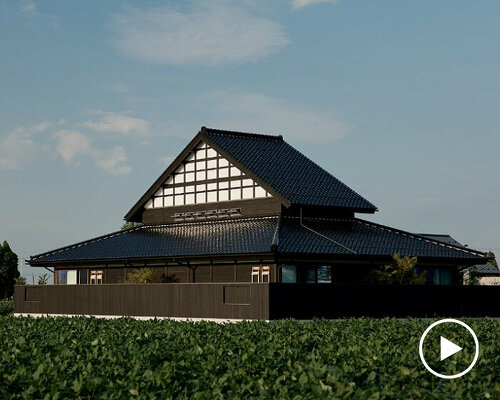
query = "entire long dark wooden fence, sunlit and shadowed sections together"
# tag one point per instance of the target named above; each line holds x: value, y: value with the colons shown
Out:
x: 258, y: 300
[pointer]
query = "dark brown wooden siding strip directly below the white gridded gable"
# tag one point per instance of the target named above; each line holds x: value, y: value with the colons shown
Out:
x: 248, y: 208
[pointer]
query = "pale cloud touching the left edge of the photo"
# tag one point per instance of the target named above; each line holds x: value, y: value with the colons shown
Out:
x: 18, y: 147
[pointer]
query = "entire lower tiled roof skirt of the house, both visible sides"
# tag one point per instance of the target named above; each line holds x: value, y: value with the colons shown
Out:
x: 257, y: 235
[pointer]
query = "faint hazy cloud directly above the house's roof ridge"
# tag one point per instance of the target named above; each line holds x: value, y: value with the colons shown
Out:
x: 257, y: 112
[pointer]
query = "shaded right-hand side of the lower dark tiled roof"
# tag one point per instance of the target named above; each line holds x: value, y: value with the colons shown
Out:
x: 361, y: 237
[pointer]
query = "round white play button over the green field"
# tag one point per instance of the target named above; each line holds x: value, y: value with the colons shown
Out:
x: 451, y: 348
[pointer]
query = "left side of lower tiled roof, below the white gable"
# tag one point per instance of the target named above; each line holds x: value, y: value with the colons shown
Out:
x: 250, y: 235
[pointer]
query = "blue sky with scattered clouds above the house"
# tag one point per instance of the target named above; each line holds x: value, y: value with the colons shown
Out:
x: 397, y: 99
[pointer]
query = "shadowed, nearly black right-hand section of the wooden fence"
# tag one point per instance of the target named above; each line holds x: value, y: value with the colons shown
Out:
x: 304, y: 301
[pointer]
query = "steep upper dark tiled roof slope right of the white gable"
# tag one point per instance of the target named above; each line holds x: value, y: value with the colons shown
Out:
x: 288, y: 171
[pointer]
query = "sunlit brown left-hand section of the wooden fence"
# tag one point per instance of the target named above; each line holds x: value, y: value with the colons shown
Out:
x: 203, y: 300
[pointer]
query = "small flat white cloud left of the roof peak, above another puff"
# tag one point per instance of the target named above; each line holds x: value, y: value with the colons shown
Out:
x: 119, y: 123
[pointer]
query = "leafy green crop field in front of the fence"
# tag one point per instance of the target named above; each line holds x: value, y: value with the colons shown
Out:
x: 73, y: 358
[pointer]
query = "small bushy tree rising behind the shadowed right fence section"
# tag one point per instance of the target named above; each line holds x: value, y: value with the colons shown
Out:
x: 401, y: 272
